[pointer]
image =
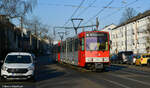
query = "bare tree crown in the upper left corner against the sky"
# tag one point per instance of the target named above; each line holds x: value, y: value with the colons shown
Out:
x: 16, y: 8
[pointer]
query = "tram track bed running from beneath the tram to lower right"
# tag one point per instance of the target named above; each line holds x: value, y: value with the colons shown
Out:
x: 116, y: 76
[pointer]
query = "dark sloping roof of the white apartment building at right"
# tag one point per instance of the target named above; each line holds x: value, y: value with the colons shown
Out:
x: 139, y: 16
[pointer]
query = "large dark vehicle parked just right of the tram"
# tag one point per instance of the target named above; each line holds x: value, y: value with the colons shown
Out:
x: 123, y: 56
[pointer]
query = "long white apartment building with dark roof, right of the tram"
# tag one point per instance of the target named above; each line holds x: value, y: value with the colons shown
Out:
x: 133, y: 35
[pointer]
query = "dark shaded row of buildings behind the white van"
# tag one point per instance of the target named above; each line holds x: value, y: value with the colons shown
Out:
x: 13, y: 39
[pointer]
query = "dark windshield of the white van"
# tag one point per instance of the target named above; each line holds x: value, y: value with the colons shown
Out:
x: 18, y: 59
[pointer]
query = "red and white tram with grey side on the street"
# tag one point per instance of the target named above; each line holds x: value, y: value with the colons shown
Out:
x: 88, y: 49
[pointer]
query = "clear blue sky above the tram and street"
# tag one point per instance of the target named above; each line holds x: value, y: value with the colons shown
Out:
x: 57, y: 12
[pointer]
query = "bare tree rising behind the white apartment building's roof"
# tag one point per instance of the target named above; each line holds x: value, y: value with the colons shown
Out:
x: 128, y: 14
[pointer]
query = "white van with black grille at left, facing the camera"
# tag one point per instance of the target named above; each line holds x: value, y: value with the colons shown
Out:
x: 18, y: 65
